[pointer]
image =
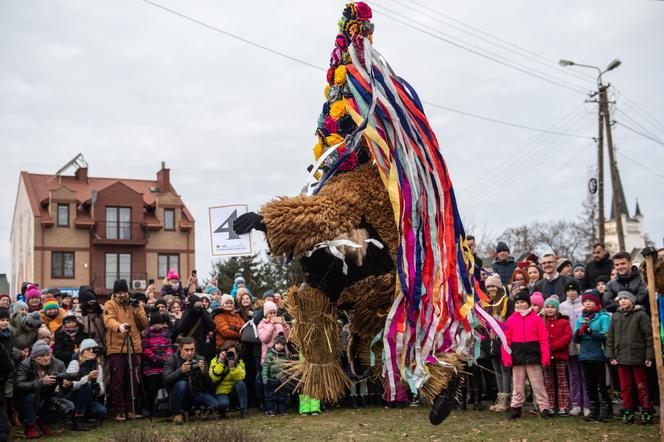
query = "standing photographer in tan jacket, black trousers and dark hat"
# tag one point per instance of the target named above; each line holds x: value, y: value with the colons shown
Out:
x: 124, y: 320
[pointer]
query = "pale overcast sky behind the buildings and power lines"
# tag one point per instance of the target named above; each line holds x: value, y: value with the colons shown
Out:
x: 129, y: 85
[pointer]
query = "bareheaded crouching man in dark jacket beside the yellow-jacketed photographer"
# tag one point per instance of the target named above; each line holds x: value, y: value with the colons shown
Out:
x: 187, y: 380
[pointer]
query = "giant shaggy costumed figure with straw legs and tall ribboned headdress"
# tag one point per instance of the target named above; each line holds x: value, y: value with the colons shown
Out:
x: 377, y: 232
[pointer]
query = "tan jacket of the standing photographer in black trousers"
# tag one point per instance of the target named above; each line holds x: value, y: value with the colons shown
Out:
x: 116, y: 314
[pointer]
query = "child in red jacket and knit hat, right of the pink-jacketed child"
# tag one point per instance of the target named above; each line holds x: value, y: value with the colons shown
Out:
x: 560, y: 335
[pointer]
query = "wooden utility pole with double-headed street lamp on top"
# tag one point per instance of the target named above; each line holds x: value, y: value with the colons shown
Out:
x: 605, y: 119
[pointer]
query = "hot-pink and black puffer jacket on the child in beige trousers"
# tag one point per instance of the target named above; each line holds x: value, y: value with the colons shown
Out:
x: 528, y: 339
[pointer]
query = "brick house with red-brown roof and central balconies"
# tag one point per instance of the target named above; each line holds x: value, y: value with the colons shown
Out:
x: 69, y: 231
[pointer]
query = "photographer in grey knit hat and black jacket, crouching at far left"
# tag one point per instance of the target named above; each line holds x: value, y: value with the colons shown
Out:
x: 40, y: 387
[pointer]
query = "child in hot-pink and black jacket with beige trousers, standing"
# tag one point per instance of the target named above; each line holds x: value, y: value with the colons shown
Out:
x: 528, y: 339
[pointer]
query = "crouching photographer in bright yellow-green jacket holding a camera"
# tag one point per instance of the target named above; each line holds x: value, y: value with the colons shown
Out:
x: 227, y: 373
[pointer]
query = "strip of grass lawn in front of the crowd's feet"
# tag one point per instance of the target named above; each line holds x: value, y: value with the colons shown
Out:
x: 379, y: 424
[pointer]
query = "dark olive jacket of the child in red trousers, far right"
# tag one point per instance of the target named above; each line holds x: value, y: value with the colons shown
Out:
x: 629, y: 339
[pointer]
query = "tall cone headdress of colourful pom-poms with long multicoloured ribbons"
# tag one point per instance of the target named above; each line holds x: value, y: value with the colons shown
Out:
x: 436, y: 309
